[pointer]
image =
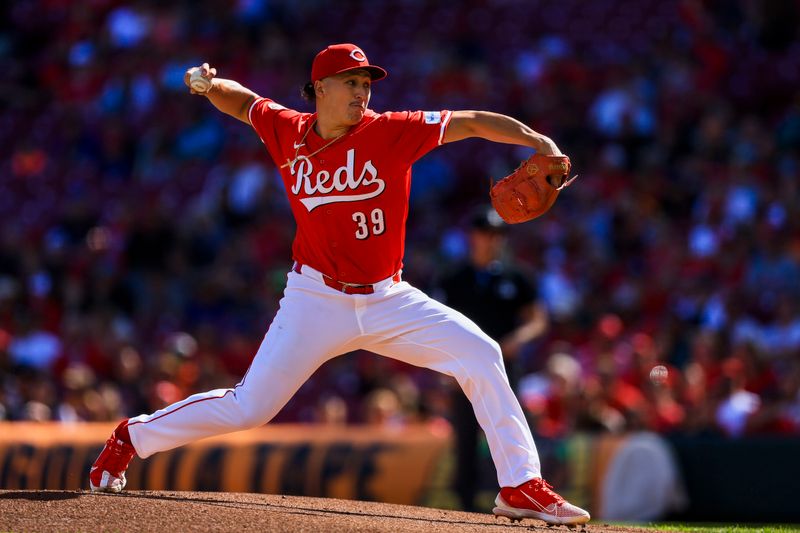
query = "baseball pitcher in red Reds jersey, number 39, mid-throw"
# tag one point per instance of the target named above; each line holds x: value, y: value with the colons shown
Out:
x: 347, y: 173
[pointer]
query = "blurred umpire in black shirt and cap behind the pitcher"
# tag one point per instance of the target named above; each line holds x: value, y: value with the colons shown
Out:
x: 504, y: 304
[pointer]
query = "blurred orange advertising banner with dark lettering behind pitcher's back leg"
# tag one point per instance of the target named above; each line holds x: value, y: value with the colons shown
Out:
x: 353, y: 462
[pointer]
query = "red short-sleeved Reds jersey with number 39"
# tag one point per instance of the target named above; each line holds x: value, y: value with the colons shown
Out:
x: 350, y: 196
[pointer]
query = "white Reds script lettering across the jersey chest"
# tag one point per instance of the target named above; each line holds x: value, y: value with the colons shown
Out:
x: 320, y: 186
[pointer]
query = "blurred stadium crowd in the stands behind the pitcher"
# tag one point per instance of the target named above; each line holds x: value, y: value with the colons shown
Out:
x: 146, y: 237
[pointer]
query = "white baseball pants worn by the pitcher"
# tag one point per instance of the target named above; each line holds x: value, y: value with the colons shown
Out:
x: 316, y: 323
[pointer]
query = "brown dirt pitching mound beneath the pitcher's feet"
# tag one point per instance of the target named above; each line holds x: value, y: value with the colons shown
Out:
x: 162, y: 511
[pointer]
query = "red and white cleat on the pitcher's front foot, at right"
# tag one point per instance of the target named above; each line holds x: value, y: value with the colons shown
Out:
x: 536, y: 499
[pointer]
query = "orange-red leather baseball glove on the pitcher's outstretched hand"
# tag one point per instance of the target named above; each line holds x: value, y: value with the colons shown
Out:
x: 532, y: 189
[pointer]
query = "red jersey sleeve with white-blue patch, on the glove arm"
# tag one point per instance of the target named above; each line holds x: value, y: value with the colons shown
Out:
x: 419, y: 131
